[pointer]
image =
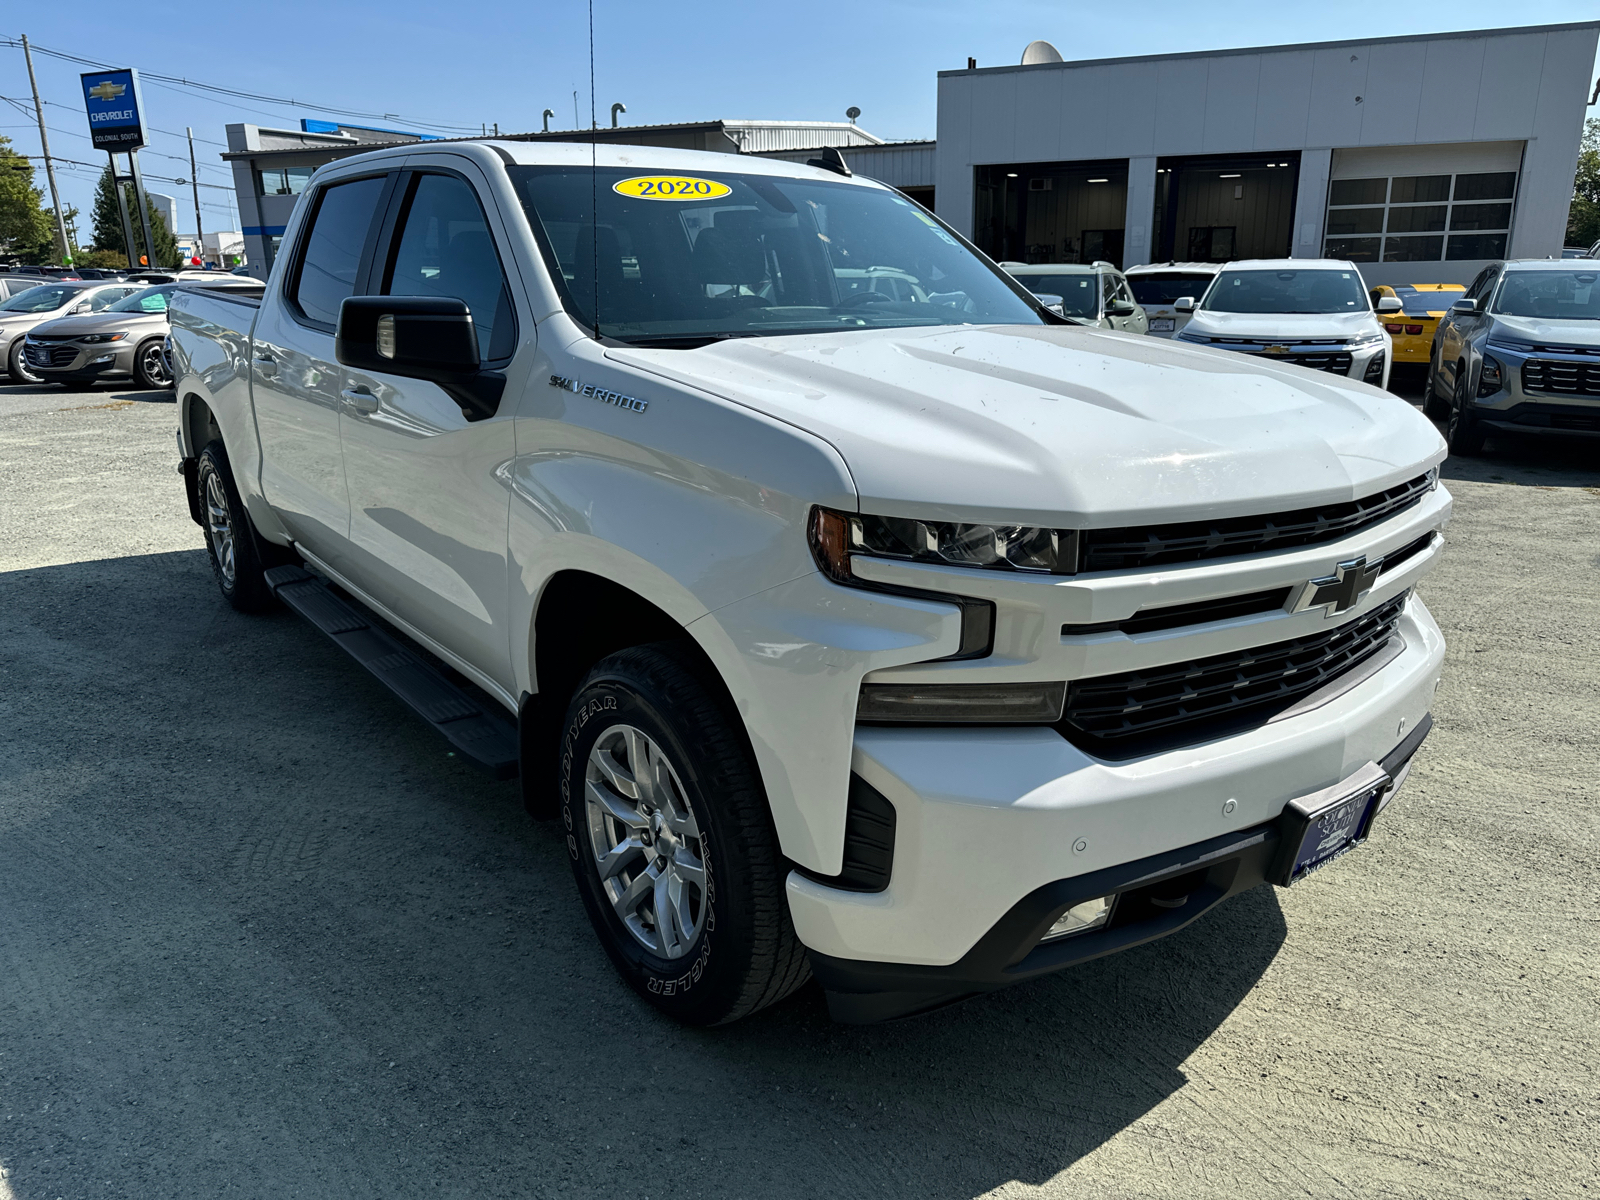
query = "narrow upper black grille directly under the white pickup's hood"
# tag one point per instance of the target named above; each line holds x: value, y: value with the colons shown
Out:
x: 1191, y: 542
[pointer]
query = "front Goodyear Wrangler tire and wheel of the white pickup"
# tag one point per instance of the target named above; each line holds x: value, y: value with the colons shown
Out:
x: 673, y: 844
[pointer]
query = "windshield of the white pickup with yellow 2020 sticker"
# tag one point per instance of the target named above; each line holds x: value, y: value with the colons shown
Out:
x: 686, y: 260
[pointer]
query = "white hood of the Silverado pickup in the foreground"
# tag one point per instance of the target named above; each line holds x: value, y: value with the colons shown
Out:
x: 1065, y: 426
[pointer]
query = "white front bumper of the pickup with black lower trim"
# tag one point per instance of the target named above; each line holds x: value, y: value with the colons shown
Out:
x: 988, y: 818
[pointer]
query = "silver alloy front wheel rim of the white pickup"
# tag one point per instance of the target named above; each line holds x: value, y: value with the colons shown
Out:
x: 647, y: 846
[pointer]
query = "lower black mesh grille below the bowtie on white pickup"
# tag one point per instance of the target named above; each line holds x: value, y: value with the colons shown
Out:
x: 1186, y: 703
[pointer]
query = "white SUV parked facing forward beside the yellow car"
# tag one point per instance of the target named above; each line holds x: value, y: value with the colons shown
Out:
x: 1310, y: 313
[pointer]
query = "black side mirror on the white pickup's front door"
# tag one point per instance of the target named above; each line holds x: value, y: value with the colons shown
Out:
x: 420, y: 338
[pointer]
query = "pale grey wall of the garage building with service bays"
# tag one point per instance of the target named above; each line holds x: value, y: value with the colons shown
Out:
x: 1526, y: 86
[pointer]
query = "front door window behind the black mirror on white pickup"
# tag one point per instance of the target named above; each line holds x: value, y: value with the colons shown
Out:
x: 446, y: 249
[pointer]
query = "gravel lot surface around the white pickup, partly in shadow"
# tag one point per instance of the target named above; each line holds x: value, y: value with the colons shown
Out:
x: 260, y: 937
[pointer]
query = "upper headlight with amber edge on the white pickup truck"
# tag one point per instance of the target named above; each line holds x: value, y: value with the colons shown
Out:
x: 836, y: 537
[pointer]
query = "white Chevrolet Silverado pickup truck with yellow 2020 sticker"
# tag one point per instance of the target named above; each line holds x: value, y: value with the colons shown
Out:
x: 906, y: 639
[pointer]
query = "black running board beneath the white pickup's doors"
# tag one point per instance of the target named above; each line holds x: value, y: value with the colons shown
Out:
x: 482, y: 735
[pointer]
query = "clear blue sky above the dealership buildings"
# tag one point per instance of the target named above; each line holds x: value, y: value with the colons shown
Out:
x: 468, y: 65
